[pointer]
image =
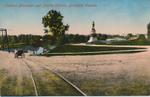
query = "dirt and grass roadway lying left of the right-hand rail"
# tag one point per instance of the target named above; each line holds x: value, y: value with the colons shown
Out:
x: 24, y: 77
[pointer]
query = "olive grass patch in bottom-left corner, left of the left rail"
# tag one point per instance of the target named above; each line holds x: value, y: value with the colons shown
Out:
x: 10, y: 87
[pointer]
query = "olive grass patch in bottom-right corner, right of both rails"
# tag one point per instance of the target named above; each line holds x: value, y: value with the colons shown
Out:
x: 102, y: 88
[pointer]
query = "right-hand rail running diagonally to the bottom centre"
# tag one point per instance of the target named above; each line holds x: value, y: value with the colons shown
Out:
x: 60, y: 76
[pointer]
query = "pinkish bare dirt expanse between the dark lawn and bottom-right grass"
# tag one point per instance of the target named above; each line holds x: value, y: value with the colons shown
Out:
x: 97, y: 65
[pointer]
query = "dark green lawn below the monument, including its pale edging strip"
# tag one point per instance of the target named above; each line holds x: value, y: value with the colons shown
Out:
x: 90, y: 50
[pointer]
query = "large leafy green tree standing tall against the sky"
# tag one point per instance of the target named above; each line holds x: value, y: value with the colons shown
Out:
x: 53, y: 23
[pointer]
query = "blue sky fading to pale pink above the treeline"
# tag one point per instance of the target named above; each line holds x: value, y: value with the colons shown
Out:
x: 110, y: 16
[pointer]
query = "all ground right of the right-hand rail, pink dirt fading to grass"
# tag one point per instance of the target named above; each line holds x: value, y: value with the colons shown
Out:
x: 108, y: 70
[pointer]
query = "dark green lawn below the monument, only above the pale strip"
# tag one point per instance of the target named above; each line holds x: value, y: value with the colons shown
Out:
x: 75, y: 48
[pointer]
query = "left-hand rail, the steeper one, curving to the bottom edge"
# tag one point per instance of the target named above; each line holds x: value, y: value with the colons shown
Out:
x: 32, y: 78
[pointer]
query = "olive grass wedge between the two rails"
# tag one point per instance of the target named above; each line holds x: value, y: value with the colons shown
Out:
x: 50, y: 84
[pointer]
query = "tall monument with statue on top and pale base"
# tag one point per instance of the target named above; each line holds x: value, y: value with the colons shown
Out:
x: 93, y: 36
